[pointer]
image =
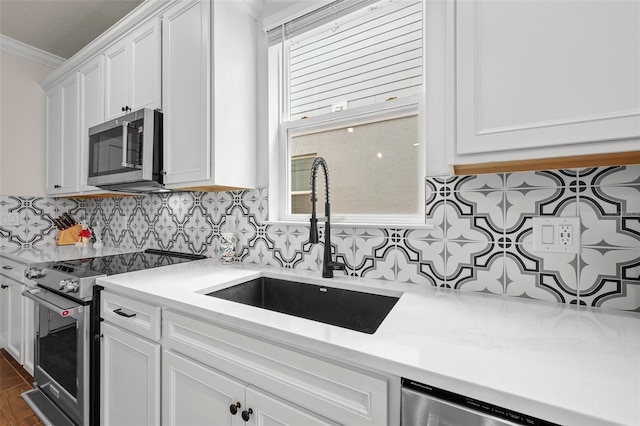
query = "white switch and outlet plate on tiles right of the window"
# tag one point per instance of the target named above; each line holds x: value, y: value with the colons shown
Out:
x: 556, y: 234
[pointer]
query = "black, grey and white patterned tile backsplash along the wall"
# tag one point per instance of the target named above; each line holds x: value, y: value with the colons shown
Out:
x: 482, y: 240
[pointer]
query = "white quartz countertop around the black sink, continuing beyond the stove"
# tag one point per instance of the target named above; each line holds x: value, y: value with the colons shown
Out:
x: 569, y: 365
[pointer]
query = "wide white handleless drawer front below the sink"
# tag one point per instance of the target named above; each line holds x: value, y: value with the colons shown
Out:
x: 334, y: 391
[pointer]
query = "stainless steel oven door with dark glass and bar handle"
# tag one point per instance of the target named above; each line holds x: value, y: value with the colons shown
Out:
x: 61, y: 352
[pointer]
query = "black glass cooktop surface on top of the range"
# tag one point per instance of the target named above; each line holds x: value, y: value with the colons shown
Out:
x: 120, y: 263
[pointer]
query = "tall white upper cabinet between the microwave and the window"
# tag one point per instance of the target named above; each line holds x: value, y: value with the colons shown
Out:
x: 209, y: 95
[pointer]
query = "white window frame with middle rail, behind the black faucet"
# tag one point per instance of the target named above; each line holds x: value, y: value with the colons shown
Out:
x: 280, y: 130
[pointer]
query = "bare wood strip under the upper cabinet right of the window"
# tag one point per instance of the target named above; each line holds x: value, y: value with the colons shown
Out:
x: 572, y: 162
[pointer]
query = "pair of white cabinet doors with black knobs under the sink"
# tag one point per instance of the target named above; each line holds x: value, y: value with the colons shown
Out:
x: 194, y: 394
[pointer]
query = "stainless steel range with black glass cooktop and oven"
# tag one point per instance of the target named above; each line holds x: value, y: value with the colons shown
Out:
x: 67, y: 320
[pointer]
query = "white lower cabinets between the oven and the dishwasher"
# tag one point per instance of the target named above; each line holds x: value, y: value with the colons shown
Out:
x: 163, y: 367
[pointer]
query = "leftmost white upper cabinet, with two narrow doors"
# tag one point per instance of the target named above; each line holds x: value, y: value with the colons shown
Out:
x: 61, y: 150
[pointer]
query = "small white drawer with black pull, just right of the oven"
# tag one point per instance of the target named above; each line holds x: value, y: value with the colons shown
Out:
x: 132, y: 315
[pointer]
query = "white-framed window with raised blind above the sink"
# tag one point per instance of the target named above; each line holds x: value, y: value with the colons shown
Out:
x: 350, y: 88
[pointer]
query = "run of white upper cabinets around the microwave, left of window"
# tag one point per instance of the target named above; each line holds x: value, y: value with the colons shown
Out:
x: 196, y: 60
